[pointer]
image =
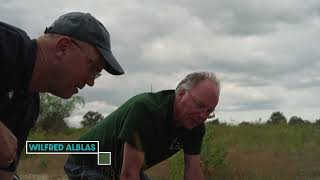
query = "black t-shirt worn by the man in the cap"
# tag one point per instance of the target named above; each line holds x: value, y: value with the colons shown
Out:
x: 19, y: 109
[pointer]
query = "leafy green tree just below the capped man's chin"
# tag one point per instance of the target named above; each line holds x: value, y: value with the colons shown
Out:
x: 54, y: 110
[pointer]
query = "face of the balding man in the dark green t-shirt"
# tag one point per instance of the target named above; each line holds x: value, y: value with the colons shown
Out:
x: 197, y: 104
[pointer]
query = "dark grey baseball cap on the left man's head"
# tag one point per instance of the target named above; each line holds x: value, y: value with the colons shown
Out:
x: 85, y: 27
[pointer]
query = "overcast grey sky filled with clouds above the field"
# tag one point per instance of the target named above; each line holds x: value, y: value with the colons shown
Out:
x: 266, y: 53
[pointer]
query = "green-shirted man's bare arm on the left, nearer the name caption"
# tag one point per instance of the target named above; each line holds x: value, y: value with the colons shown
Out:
x: 132, y: 163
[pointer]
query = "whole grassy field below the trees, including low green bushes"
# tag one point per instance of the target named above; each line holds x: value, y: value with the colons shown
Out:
x: 258, y: 151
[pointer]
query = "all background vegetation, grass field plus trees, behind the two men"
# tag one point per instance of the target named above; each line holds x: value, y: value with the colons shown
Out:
x: 277, y: 148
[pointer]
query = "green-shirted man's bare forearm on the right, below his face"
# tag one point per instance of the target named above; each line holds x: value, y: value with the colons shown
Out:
x: 192, y: 169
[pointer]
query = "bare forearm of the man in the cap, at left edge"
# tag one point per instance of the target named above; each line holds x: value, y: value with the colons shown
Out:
x: 8, y: 146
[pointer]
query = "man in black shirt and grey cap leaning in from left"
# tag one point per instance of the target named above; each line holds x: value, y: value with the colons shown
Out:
x: 71, y: 54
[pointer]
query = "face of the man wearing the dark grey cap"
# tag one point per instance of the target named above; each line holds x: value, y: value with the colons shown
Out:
x: 80, y: 64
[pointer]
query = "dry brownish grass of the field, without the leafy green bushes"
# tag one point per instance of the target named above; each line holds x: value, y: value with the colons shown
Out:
x: 255, y: 153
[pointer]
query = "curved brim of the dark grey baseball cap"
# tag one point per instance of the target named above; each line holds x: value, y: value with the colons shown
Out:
x: 112, y: 65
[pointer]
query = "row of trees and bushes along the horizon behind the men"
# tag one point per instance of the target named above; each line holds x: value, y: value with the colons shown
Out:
x: 54, y: 111
